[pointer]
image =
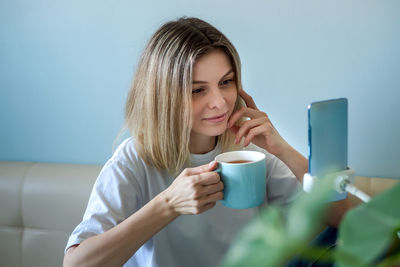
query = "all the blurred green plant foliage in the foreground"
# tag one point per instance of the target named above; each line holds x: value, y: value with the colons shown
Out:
x: 368, y: 234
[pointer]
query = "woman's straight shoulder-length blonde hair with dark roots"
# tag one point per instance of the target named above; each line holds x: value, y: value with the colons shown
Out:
x: 158, y: 108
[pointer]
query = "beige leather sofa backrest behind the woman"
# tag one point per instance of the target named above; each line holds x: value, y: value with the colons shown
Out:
x: 41, y: 203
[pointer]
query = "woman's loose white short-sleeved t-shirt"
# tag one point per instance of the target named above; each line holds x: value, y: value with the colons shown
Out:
x: 126, y: 183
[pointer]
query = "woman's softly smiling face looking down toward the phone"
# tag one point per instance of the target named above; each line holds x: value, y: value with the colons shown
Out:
x: 214, y: 94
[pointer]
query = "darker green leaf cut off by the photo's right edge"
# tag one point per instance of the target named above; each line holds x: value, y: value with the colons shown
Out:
x: 367, y: 231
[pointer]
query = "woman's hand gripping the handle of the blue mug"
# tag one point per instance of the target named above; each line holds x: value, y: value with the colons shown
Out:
x: 195, y: 190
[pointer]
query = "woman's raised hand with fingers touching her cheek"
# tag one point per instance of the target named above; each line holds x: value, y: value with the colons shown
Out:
x: 258, y: 130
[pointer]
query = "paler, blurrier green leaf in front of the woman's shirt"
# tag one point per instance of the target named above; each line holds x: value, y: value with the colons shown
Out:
x: 275, y: 237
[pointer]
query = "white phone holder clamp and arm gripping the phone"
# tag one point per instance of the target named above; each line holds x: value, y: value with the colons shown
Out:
x: 343, y: 182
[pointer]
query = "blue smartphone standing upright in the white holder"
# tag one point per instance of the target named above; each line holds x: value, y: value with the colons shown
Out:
x: 327, y: 138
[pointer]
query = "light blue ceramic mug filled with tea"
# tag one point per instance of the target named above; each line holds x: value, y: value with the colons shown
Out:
x: 244, y: 176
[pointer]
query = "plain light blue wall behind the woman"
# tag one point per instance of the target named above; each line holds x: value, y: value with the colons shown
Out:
x: 66, y: 67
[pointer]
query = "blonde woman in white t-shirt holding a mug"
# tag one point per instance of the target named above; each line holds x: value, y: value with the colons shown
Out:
x: 155, y: 202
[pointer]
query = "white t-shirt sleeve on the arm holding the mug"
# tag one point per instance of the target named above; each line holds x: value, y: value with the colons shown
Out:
x: 115, y: 196
